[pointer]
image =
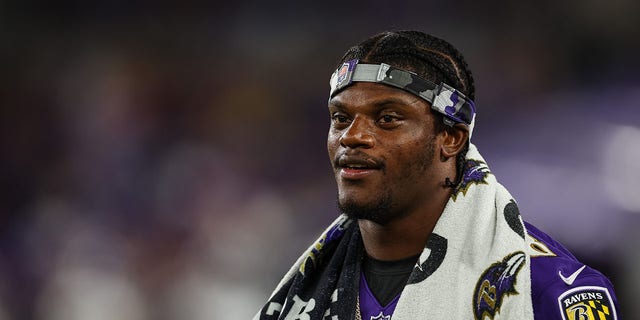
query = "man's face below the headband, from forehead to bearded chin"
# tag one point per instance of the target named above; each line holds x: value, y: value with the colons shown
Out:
x: 381, y: 145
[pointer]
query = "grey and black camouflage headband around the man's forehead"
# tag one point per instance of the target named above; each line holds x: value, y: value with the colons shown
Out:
x: 454, y: 105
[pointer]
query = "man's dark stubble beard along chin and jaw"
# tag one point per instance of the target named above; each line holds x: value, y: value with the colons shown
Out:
x: 382, y: 210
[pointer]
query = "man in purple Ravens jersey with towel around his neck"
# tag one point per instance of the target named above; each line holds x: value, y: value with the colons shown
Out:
x: 426, y: 231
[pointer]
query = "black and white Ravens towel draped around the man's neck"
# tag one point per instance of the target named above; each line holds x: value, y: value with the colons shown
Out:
x: 475, y: 264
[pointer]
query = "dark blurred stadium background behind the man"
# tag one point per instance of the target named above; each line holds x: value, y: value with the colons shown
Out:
x: 167, y: 160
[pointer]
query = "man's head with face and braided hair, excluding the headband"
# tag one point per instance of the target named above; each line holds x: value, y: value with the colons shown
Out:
x: 389, y: 150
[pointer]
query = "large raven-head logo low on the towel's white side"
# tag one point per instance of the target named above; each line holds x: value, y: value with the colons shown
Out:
x: 495, y: 283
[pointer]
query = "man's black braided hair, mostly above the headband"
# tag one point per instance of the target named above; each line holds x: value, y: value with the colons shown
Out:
x: 430, y: 57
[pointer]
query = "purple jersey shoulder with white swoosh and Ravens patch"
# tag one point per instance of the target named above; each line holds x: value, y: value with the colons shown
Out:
x: 564, y: 288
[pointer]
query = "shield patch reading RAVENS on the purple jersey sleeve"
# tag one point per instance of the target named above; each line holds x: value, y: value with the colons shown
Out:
x: 588, y: 303
